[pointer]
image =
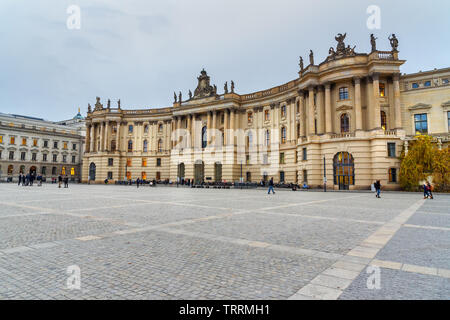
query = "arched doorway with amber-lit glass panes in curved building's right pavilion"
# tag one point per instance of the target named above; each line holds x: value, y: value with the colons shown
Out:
x: 344, y: 170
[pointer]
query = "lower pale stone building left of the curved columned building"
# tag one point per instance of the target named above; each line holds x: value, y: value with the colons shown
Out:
x: 33, y: 145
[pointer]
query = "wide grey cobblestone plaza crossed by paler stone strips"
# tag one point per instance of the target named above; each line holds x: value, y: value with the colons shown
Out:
x: 182, y: 243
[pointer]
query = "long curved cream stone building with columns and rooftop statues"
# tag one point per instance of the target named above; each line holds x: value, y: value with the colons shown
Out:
x: 343, y: 122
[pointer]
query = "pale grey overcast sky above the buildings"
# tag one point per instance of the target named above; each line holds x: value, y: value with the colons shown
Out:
x: 141, y: 51
